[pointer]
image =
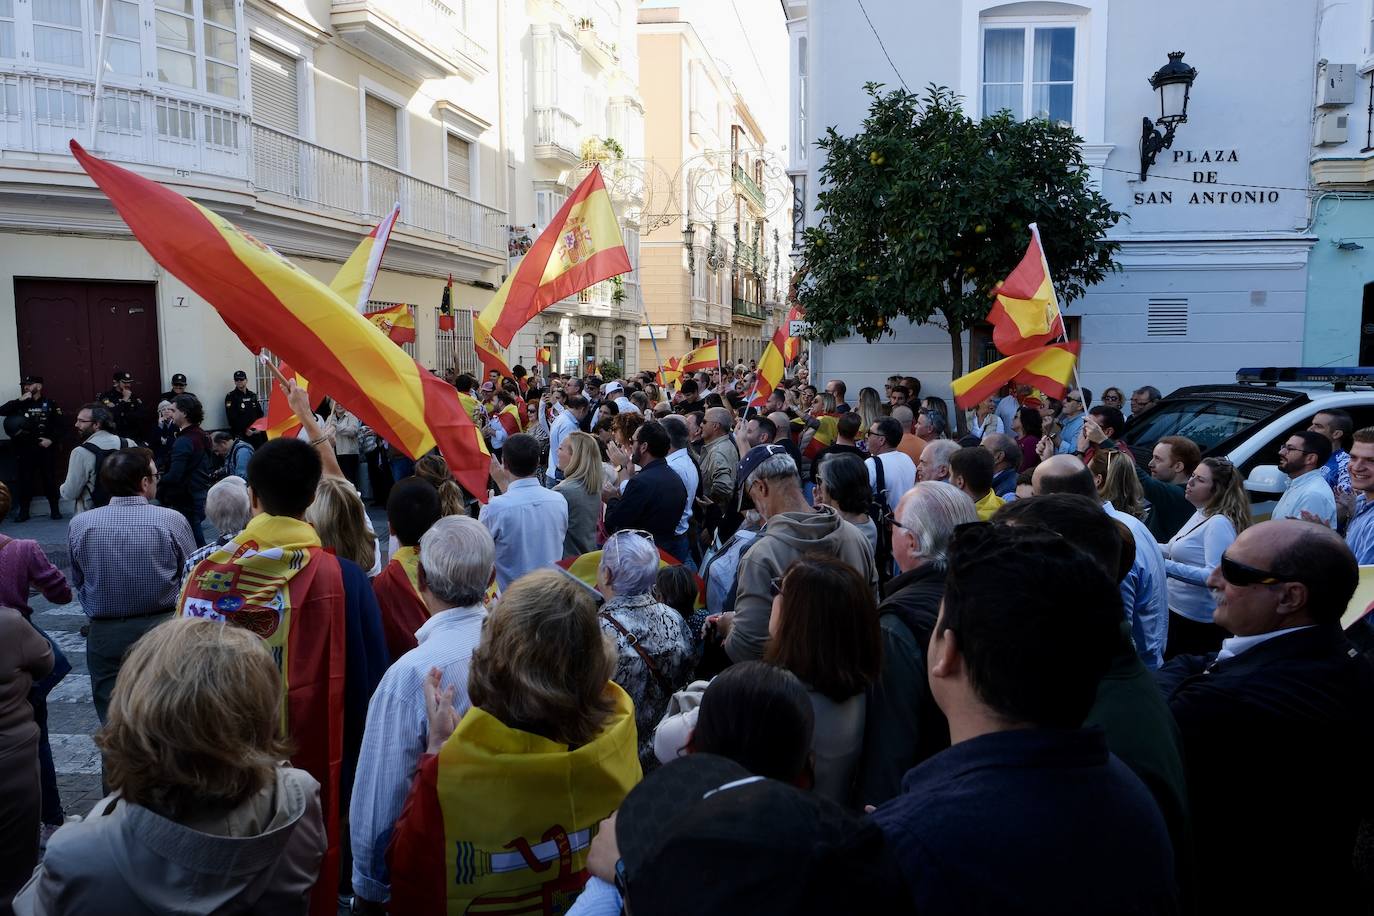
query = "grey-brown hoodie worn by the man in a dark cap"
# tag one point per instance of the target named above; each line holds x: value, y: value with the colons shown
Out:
x: 787, y: 538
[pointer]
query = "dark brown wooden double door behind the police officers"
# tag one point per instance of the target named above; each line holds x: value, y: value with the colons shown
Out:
x: 76, y: 333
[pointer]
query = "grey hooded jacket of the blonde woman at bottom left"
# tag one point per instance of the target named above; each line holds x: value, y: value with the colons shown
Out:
x: 130, y: 862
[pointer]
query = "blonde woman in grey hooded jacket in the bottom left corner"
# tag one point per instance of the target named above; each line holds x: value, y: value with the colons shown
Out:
x: 204, y: 816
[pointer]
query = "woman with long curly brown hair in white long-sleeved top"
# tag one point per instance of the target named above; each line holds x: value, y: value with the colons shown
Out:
x: 1224, y: 512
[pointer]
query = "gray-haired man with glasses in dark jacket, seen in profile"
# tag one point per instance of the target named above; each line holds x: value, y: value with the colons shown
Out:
x: 905, y: 726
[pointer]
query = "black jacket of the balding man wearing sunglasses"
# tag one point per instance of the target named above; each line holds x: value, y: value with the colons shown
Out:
x: 1279, y: 744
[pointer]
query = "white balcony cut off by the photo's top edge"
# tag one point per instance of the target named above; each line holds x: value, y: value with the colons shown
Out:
x: 421, y: 39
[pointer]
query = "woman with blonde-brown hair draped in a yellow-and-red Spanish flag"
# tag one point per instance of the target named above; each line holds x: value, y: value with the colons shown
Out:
x: 546, y: 752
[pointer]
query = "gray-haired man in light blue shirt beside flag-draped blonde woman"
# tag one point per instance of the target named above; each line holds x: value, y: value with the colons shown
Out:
x: 457, y: 562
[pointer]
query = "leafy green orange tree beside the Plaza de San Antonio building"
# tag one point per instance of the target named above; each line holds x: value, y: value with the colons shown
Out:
x: 925, y: 212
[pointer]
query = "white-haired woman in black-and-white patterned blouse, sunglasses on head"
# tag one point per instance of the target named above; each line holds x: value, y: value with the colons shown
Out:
x: 655, y: 652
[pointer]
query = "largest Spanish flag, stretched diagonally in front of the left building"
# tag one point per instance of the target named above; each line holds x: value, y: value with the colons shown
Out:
x: 270, y: 303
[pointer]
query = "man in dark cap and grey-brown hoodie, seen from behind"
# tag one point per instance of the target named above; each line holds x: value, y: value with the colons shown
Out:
x: 792, y: 529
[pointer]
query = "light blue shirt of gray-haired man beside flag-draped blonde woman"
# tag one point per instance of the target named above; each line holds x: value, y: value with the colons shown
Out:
x: 396, y: 735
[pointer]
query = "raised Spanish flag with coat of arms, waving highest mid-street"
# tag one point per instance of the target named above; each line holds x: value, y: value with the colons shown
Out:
x: 581, y: 248
